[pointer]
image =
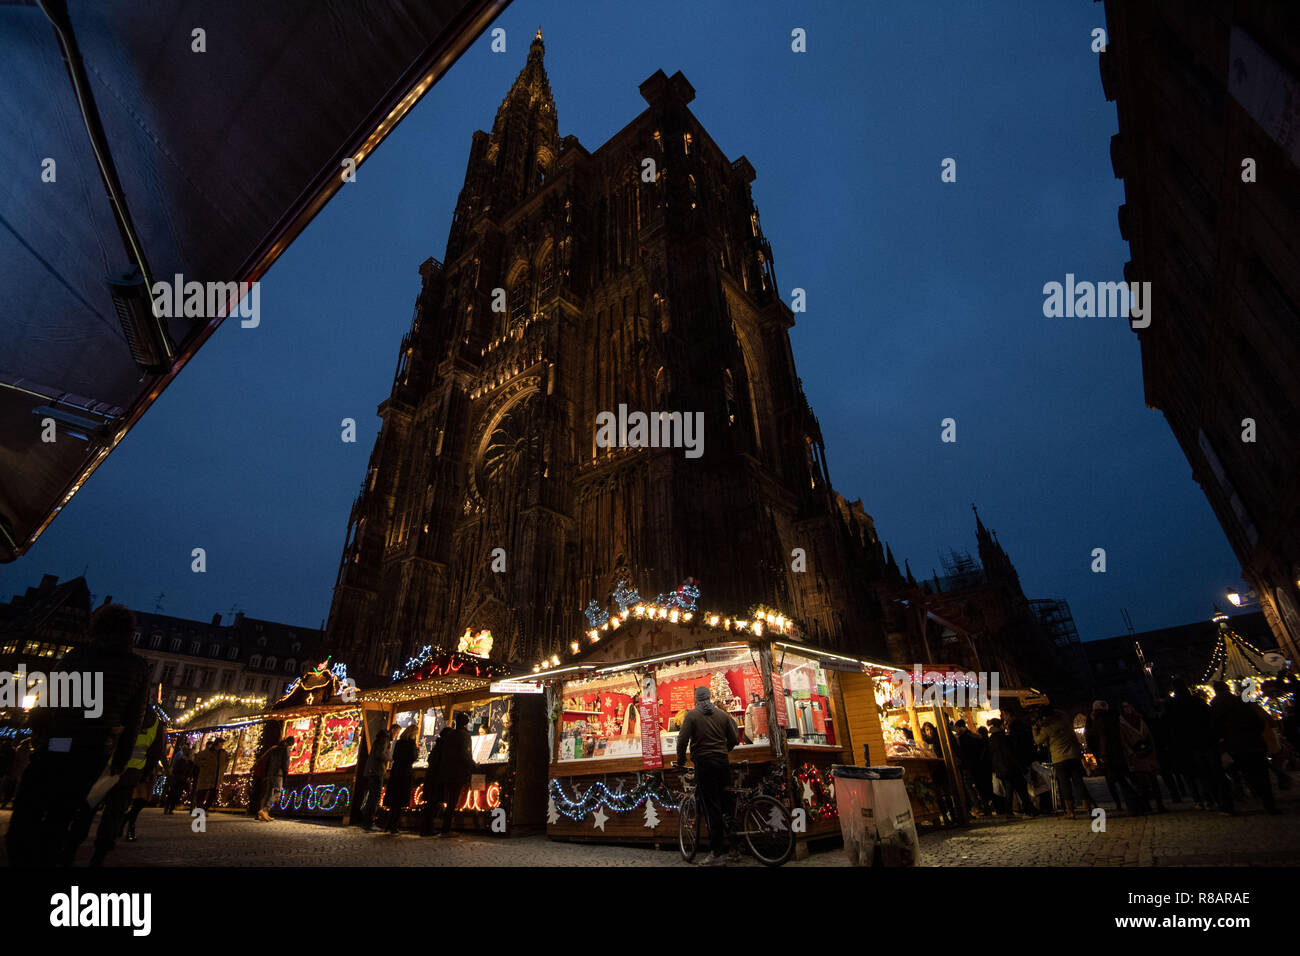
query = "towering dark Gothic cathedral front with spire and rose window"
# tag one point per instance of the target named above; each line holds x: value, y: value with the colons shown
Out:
x: 578, y: 285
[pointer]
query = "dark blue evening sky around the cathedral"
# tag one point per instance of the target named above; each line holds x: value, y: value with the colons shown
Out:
x: 924, y: 302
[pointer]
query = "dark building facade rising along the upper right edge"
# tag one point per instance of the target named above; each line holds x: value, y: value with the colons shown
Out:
x: 1210, y: 153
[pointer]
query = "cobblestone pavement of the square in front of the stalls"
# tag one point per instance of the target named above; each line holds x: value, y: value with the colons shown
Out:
x: 1182, y: 838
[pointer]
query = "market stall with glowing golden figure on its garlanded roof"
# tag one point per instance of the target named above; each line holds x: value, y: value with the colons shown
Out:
x: 428, y: 693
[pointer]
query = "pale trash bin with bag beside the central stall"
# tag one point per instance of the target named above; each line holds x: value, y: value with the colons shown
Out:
x: 876, y: 816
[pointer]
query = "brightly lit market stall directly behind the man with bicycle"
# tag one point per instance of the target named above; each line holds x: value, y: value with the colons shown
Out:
x: 618, y: 703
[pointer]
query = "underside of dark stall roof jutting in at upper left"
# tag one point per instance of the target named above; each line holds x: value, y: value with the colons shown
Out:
x: 144, y: 150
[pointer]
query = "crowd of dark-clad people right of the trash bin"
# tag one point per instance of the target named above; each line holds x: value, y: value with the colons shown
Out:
x: 1208, y: 752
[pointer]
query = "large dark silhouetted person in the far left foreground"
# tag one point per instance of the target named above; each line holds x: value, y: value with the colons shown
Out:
x: 75, y: 745
